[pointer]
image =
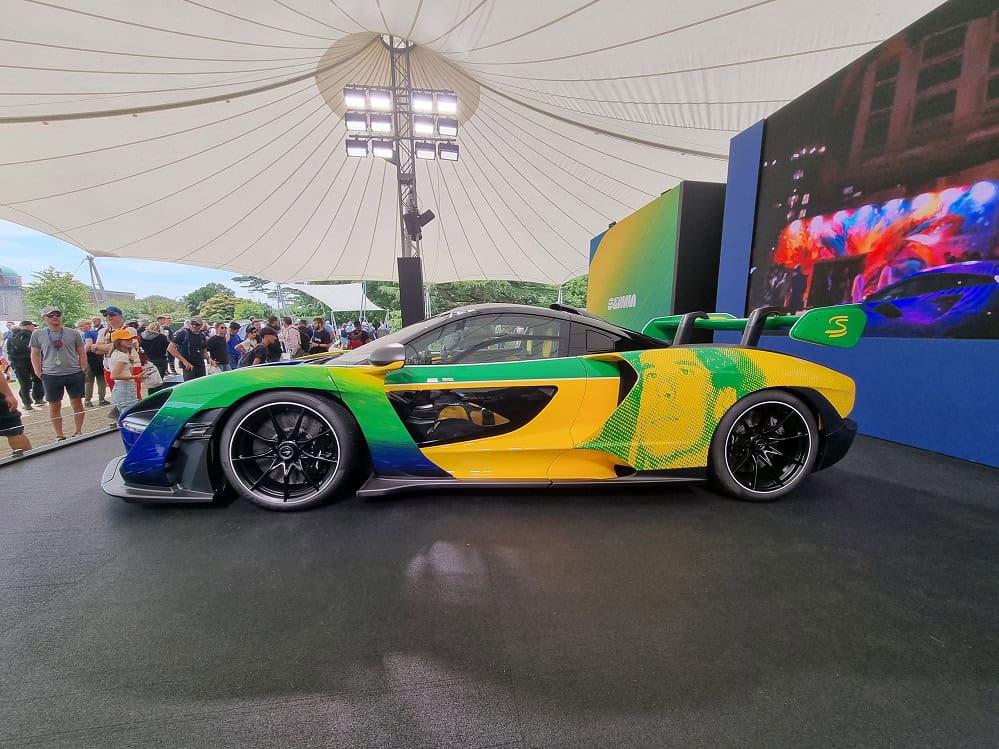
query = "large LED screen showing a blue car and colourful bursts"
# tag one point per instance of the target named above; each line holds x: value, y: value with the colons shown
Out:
x: 881, y: 185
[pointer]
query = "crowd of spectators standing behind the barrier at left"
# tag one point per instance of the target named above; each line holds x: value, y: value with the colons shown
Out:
x: 112, y: 359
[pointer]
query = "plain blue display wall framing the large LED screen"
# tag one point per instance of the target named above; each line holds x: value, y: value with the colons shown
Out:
x: 933, y: 393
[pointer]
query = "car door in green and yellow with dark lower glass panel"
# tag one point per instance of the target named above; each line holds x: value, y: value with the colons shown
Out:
x: 491, y: 396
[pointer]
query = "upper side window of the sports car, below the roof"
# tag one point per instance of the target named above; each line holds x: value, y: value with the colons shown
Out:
x: 489, y: 338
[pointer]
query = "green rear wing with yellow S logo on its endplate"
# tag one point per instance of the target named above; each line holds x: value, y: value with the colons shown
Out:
x: 839, y: 326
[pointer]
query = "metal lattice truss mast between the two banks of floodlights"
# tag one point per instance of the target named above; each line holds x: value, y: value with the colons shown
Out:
x: 405, y: 142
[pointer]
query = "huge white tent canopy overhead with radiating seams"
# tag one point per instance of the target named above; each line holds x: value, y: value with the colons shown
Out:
x: 212, y: 133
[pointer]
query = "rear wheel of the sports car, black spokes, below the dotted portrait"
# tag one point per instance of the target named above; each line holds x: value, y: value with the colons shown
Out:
x: 764, y: 446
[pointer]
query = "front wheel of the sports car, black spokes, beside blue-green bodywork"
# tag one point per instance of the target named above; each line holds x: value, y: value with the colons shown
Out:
x: 290, y: 450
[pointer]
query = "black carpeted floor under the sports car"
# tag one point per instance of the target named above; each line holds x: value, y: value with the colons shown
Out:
x: 863, y: 611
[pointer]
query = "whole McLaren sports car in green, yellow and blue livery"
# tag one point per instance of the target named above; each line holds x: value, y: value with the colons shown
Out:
x: 503, y: 396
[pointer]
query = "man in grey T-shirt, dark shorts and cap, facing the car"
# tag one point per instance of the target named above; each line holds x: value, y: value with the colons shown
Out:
x: 59, y: 358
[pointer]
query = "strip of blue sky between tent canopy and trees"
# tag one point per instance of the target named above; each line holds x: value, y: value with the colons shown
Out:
x: 28, y: 251
